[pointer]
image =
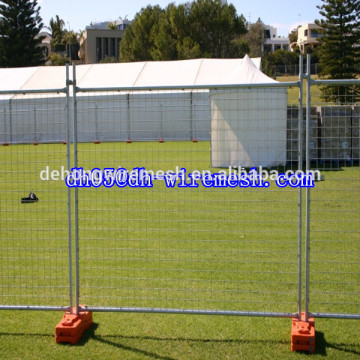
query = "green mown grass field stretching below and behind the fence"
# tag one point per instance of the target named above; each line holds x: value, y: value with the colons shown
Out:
x: 218, y: 249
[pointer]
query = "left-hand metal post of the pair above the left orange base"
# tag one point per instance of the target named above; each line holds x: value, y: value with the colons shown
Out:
x: 69, y: 189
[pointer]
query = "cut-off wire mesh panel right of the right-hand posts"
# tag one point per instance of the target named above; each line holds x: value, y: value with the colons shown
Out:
x: 335, y: 204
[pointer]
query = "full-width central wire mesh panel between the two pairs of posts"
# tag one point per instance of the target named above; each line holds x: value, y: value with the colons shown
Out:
x: 182, y: 237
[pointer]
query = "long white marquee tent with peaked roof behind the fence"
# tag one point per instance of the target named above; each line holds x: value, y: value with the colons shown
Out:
x: 150, y: 115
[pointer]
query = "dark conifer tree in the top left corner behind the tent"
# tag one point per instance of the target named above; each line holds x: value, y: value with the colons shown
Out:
x: 20, y: 25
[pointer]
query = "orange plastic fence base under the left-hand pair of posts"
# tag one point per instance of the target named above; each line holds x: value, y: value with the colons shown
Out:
x: 71, y: 328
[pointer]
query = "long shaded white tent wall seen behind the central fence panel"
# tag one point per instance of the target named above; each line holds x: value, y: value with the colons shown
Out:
x: 144, y: 116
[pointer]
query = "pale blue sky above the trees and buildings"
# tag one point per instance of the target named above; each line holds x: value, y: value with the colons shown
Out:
x: 285, y: 15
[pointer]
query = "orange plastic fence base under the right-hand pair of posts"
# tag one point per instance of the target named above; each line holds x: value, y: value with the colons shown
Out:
x: 303, y: 335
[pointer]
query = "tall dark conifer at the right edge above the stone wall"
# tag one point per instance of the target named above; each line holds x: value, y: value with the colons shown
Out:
x: 340, y: 51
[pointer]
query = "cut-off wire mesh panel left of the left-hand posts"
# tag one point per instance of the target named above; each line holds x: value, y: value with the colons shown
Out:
x: 34, y: 262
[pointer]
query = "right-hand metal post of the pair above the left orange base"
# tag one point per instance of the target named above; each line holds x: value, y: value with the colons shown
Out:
x: 76, y: 209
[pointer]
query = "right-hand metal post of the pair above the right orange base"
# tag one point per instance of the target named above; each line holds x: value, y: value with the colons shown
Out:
x: 308, y: 165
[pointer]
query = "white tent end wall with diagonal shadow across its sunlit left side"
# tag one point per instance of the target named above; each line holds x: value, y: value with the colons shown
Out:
x: 248, y: 127
